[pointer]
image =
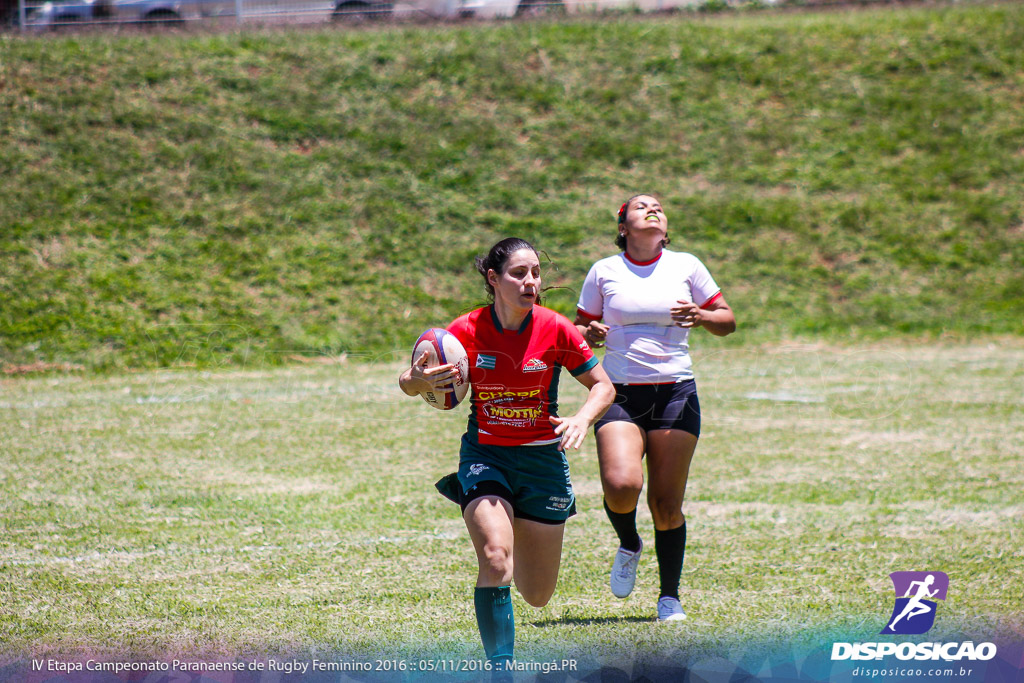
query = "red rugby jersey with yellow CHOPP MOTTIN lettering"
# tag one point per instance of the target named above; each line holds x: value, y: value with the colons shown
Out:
x: 515, y: 374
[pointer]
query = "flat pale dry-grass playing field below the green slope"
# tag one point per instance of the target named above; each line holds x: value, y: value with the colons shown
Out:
x: 290, y: 511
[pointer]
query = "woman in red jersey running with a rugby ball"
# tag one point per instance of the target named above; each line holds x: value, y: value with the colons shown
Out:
x: 514, y: 481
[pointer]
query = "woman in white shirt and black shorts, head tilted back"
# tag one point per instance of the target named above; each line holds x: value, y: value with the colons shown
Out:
x: 642, y: 305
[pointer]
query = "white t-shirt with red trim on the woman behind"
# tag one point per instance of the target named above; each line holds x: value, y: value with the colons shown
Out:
x: 645, y: 347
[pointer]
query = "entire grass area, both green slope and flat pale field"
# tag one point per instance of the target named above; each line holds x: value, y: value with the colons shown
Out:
x: 218, y: 240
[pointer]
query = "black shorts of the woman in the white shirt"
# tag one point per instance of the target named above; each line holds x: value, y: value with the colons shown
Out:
x: 657, y: 407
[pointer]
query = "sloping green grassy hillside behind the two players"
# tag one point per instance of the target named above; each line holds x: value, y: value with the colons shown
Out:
x: 243, y: 198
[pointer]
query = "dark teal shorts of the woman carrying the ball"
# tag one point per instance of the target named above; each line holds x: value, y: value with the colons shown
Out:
x: 535, y: 480
